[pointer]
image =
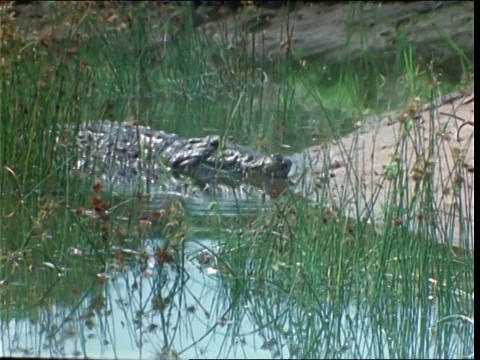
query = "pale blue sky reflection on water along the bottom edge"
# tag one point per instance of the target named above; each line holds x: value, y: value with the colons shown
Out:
x: 185, y: 310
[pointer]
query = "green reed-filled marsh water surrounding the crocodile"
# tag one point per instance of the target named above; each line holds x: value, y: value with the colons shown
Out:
x: 85, y: 272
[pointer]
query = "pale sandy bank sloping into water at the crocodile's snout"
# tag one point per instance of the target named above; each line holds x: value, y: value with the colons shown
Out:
x: 407, y: 148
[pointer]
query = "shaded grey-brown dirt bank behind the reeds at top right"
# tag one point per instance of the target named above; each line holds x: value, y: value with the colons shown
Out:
x: 332, y: 31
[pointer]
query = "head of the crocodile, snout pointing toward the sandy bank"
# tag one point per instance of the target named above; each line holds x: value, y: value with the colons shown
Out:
x: 206, y: 161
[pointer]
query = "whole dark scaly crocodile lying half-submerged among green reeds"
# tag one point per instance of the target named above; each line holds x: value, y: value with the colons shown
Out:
x: 128, y: 157
